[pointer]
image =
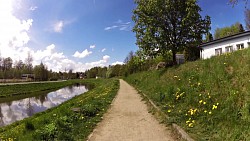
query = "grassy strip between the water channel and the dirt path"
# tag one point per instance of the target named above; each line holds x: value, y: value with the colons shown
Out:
x: 64, y: 123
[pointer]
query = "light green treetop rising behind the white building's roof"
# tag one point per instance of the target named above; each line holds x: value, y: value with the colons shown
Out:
x: 227, y: 31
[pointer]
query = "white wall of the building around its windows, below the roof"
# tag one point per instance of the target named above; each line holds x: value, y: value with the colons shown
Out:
x: 209, y: 50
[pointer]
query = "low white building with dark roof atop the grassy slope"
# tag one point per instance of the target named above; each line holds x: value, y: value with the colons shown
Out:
x: 224, y: 45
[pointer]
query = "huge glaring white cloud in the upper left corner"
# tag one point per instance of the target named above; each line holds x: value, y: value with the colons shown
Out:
x: 13, y: 31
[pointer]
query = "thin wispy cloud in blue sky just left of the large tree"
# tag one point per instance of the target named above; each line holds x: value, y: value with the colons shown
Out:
x: 123, y: 26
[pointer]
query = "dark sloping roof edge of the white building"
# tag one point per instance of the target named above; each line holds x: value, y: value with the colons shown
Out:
x: 242, y: 34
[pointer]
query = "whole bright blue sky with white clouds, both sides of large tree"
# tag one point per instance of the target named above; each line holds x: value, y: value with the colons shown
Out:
x: 81, y: 34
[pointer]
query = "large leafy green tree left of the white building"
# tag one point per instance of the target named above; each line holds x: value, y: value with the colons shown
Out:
x: 168, y: 25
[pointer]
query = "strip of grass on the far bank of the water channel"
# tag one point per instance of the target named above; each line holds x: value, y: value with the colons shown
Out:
x: 24, y: 90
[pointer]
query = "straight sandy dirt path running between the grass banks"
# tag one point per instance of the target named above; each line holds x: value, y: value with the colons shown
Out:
x: 129, y: 120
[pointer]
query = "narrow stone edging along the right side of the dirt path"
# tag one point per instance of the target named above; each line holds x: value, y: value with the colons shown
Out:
x: 181, y: 132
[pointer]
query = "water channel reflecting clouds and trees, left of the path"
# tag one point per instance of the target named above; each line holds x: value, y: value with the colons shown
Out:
x: 20, y: 109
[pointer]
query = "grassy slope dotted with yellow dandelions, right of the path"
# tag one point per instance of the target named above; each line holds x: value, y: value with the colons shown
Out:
x: 209, y: 98
